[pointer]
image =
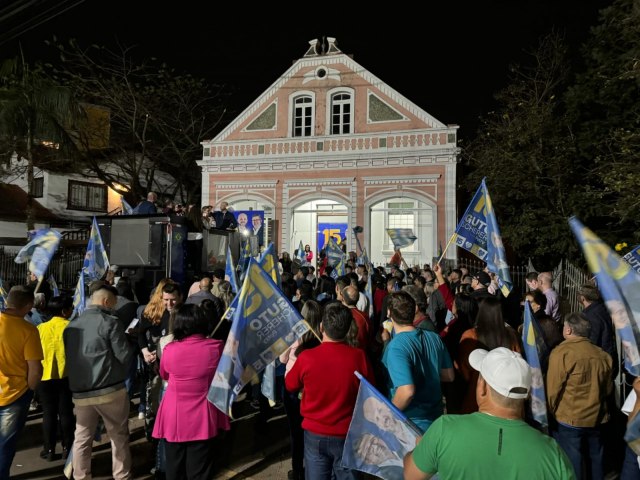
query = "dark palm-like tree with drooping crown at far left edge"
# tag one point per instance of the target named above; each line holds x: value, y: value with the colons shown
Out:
x: 35, y: 115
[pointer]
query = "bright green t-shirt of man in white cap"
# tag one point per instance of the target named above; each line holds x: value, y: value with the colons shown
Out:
x: 479, y: 446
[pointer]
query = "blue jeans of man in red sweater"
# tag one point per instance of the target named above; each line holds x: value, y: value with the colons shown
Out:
x: 323, y: 458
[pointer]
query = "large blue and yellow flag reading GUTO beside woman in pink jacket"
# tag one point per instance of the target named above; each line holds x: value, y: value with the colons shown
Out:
x: 264, y: 324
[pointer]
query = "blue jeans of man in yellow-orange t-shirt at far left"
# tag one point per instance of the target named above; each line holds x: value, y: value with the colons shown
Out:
x: 12, y: 420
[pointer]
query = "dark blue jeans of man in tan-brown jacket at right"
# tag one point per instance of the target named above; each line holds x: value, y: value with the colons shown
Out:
x: 573, y: 441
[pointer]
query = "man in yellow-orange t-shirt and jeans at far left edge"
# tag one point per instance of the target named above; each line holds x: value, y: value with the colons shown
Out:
x: 20, y: 371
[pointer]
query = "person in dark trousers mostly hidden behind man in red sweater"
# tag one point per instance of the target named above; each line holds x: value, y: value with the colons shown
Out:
x: 312, y: 313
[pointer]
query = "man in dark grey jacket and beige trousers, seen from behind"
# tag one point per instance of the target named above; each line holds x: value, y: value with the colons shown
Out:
x: 98, y: 350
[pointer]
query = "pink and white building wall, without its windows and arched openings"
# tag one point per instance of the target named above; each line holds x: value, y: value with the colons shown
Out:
x: 413, y: 156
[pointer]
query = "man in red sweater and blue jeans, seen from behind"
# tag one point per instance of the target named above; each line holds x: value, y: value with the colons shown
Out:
x: 330, y: 388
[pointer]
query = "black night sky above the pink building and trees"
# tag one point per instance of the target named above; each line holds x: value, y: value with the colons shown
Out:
x: 447, y: 57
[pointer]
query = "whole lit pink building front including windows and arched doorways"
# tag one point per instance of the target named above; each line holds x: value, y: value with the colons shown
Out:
x: 329, y: 146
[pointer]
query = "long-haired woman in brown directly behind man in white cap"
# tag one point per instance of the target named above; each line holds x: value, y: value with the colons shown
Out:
x: 489, y: 332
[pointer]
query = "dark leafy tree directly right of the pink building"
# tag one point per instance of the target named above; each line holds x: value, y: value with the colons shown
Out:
x: 525, y: 149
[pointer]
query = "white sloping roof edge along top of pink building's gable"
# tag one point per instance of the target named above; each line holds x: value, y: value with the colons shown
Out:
x: 325, y: 53
